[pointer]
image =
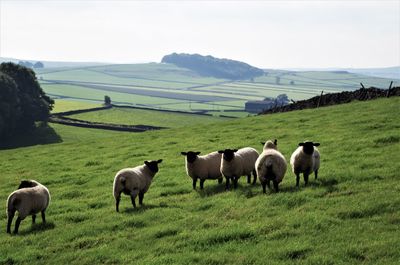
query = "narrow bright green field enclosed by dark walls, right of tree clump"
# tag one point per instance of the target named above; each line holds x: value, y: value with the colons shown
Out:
x: 146, y: 117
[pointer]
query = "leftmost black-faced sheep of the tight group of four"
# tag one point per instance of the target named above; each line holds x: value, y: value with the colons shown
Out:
x: 203, y: 167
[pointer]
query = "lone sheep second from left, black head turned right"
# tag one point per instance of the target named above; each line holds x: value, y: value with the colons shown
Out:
x: 134, y: 181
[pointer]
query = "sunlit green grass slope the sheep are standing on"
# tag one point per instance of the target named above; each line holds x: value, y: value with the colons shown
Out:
x: 350, y: 215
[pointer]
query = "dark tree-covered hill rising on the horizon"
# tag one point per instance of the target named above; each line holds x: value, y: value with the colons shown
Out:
x: 214, y: 67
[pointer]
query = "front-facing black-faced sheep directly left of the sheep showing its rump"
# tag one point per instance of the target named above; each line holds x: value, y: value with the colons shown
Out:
x: 236, y: 163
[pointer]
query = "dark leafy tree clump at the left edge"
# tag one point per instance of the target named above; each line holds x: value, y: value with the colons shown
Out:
x: 22, y: 100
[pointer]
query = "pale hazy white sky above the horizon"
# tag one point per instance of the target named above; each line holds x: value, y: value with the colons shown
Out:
x: 270, y: 34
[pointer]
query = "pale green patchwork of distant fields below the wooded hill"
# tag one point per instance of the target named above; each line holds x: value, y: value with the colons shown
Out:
x: 166, y: 86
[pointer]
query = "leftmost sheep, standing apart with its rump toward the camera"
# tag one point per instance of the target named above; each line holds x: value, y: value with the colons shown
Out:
x: 30, y: 198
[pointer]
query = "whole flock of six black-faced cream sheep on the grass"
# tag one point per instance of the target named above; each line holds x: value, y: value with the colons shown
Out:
x: 31, y: 197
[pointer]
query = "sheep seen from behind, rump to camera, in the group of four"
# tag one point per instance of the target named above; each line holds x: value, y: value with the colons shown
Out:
x: 270, y: 165
